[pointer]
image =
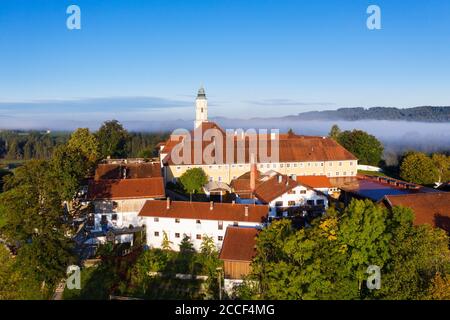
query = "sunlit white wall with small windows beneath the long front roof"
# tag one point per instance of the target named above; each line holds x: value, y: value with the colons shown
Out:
x: 188, y: 227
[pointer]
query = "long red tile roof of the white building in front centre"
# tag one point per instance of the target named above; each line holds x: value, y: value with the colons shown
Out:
x: 202, y: 211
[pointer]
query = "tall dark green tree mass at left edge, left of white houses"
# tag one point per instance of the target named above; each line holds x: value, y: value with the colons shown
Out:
x: 32, y: 208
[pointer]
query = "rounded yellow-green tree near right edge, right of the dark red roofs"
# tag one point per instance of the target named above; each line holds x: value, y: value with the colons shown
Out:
x: 417, y: 167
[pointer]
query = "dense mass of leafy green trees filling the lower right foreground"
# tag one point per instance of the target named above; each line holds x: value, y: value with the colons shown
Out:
x: 328, y: 260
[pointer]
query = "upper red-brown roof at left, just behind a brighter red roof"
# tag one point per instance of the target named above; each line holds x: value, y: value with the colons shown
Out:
x: 132, y: 170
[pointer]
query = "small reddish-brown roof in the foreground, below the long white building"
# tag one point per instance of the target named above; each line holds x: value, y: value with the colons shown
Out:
x: 239, y: 244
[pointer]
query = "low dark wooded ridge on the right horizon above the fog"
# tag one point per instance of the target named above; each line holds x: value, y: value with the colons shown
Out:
x: 422, y: 114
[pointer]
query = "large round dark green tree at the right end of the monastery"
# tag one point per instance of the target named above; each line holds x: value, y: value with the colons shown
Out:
x: 364, y: 146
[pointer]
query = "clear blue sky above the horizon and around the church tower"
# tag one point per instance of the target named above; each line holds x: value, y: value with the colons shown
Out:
x: 141, y: 60
